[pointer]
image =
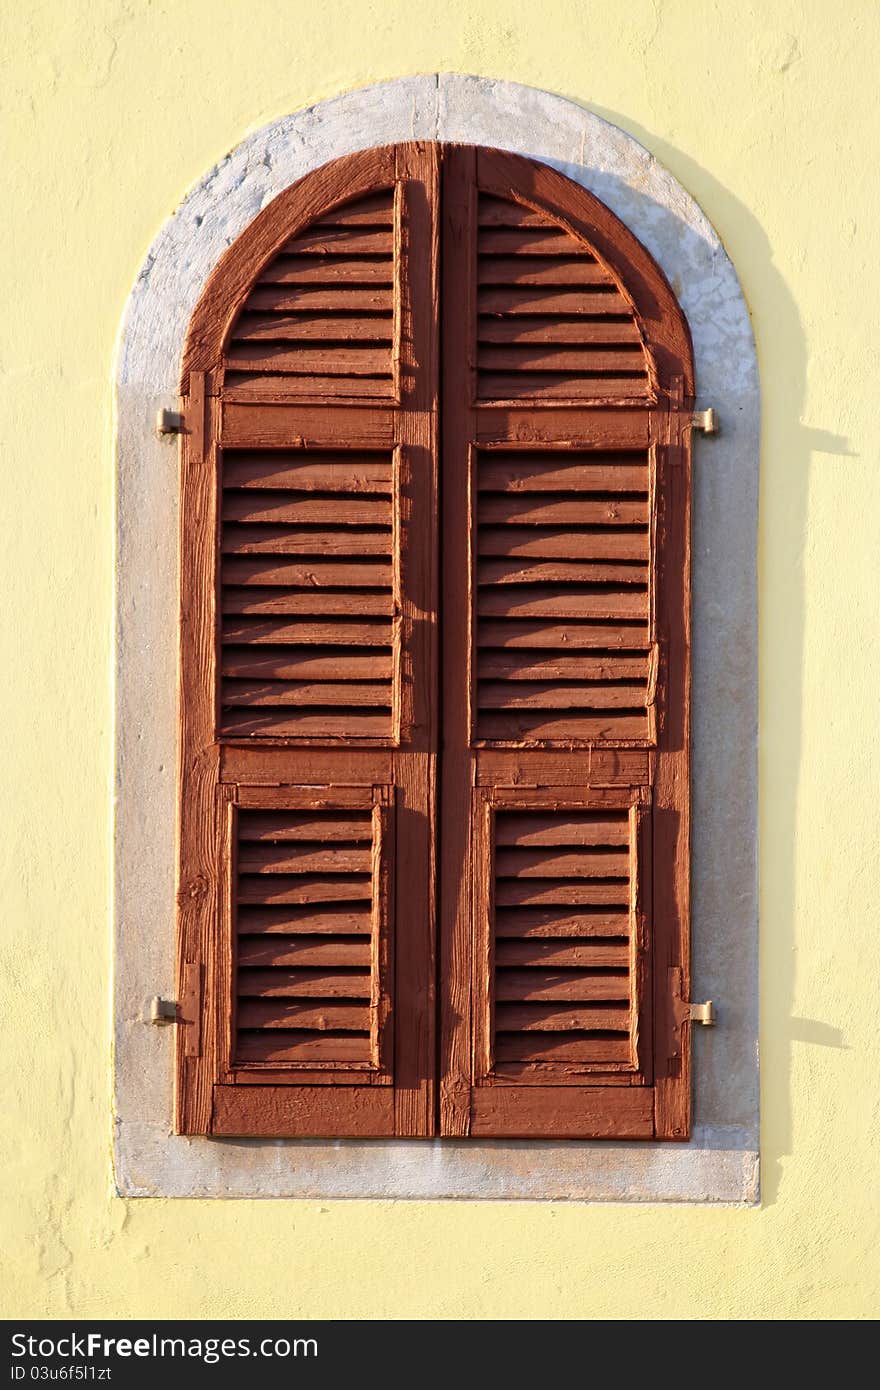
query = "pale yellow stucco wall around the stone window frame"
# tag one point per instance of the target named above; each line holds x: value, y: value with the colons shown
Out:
x: 768, y: 115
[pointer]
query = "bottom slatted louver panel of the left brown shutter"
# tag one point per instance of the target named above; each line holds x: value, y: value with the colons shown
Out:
x: 308, y: 914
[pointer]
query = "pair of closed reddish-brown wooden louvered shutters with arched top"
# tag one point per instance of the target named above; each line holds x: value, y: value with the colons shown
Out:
x: 436, y: 665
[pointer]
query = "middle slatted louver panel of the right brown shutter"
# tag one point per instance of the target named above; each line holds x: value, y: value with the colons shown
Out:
x: 562, y: 597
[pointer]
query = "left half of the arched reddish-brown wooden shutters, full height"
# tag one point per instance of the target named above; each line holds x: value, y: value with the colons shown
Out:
x: 308, y: 660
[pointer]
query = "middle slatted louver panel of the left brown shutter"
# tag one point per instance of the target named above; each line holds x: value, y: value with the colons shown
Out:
x: 308, y: 596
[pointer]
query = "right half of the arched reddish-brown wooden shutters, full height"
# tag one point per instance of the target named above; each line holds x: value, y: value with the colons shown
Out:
x: 565, y: 774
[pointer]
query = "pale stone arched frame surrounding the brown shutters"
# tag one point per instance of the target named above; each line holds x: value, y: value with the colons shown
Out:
x: 721, y: 1163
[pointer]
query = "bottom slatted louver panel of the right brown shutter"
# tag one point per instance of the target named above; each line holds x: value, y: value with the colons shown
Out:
x: 564, y: 901
